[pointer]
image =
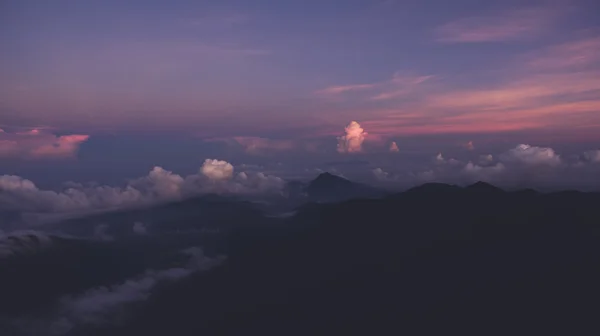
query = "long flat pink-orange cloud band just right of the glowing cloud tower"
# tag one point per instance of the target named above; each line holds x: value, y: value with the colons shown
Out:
x: 481, y: 116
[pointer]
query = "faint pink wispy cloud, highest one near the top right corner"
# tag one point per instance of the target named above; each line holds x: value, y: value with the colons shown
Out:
x: 506, y: 26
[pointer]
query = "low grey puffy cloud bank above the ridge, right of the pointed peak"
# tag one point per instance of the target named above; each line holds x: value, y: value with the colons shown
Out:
x: 523, y: 166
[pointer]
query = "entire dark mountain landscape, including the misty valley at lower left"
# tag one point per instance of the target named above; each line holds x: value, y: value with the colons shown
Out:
x: 346, y: 259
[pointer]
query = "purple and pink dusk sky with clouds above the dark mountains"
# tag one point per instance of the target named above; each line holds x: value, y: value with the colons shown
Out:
x: 394, y: 92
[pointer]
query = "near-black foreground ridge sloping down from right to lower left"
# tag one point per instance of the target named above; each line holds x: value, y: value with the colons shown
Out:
x: 435, y: 259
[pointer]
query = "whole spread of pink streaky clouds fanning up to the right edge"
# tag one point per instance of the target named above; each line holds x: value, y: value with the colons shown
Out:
x: 556, y: 87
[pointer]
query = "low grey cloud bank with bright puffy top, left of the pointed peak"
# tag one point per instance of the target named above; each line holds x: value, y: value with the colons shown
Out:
x: 159, y: 185
